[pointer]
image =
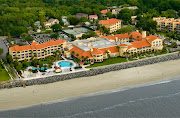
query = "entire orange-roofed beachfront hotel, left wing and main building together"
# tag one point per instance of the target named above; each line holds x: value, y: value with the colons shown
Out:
x: 93, y: 49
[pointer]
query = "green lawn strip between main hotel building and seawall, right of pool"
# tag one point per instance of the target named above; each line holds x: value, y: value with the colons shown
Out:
x: 109, y: 61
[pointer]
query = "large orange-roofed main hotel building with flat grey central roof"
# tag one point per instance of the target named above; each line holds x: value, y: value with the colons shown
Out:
x: 98, y: 49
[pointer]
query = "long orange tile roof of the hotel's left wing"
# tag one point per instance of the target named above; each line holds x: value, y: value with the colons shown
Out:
x: 36, y: 45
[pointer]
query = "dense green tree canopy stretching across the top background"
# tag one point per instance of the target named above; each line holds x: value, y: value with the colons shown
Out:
x: 16, y: 16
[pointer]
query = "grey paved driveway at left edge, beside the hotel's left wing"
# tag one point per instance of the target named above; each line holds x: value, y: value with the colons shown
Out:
x: 4, y: 47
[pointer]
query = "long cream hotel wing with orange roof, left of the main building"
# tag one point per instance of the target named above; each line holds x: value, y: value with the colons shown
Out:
x: 36, y: 50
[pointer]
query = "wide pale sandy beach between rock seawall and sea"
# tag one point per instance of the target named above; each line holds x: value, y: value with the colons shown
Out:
x: 18, y: 97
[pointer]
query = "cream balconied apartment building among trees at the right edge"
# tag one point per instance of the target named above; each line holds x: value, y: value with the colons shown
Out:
x: 169, y: 24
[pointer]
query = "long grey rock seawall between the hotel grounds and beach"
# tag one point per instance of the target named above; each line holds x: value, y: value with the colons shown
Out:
x: 93, y: 72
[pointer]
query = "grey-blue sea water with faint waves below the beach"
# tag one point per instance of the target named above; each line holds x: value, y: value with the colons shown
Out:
x: 157, y: 100
